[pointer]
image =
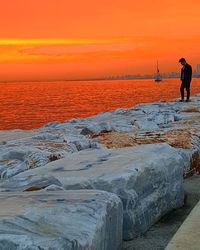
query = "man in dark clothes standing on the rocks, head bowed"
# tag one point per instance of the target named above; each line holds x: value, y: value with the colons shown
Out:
x: 186, y: 77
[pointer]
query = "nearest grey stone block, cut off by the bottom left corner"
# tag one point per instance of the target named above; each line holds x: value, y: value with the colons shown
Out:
x: 64, y: 220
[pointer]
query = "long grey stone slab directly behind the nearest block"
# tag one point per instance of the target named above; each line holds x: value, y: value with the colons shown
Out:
x: 148, y: 180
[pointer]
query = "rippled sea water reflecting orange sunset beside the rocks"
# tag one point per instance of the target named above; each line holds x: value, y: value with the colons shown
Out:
x: 31, y: 105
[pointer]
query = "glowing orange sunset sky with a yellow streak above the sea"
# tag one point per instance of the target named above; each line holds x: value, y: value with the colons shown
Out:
x: 61, y: 39
